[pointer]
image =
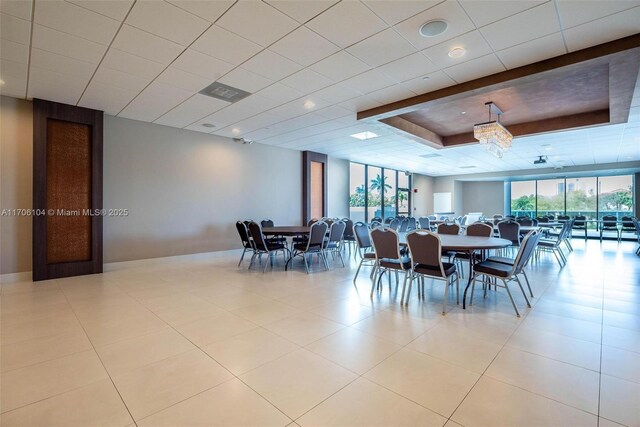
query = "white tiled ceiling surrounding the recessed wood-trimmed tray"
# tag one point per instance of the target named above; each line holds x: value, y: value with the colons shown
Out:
x: 148, y: 59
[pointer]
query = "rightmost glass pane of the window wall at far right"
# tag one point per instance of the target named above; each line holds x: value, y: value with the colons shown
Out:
x: 615, y: 196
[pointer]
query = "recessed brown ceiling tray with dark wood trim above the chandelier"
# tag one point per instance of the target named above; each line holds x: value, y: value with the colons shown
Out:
x: 590, y: 87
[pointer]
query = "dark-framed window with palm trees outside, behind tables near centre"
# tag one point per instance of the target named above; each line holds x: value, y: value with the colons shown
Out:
x: 372, y: 187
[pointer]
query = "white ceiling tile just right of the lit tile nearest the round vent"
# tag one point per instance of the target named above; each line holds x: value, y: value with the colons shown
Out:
x: 522, y: 27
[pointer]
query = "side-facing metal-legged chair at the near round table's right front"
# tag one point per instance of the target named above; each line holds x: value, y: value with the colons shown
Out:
x: 504, y: 272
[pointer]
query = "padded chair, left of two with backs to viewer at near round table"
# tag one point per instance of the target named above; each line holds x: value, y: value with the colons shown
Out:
x: 386, y: 245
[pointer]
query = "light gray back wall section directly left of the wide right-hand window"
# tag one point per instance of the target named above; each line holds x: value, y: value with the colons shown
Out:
x: 483, y: 196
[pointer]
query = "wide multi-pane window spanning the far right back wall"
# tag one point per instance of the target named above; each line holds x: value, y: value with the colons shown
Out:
x: 592, y: 197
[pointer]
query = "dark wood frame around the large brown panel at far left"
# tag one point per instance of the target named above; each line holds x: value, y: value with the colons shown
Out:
x: 43, y: 111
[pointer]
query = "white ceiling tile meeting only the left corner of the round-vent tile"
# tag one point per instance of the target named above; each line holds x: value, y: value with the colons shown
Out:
x: 347, y: 23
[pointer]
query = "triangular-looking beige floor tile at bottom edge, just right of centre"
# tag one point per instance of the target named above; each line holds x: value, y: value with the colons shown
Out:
x: 363, y: 403
